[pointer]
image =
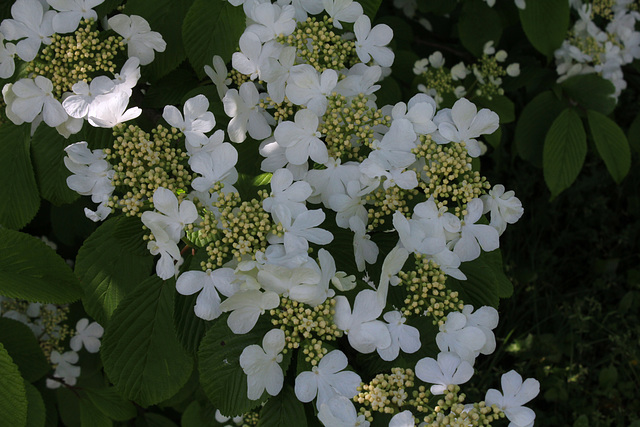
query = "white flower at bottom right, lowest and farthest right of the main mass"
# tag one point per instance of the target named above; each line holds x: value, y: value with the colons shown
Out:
x: 516, y: 394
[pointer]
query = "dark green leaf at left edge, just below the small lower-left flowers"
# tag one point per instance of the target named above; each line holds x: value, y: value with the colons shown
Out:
x: 24, y: 349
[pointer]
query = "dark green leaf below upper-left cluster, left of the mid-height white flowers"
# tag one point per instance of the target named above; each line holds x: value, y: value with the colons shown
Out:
x: 47, y: 151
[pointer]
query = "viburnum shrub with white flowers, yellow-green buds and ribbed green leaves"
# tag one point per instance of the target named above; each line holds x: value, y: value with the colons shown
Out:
x: 276, y: 243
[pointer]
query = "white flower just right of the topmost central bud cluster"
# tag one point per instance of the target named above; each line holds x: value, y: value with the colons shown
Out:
x: 371, y: 43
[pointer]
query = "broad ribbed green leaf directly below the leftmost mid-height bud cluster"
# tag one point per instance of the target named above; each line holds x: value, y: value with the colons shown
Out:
x: 112, y: 261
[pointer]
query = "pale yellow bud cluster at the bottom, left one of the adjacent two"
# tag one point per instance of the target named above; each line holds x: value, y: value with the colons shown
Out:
x: 386, y: 393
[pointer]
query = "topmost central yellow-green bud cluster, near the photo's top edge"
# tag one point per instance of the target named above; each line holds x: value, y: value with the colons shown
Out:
x: 318, y: 45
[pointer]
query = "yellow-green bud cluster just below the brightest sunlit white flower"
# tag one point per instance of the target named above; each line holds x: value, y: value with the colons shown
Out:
x: 144, y: 162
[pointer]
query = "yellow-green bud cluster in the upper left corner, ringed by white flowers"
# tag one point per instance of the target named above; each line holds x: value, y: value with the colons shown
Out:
x: 78, y: 56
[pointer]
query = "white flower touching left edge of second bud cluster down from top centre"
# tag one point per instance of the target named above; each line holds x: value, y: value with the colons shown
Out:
x: 302, y: 139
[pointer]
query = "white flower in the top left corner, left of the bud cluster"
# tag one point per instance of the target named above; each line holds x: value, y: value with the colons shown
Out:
x: 32, y: 23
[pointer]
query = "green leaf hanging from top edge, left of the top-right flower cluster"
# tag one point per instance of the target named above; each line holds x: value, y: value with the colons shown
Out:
x: 545, y: 22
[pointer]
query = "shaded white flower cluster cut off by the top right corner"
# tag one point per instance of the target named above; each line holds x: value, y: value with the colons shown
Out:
x: 602, y: 40
